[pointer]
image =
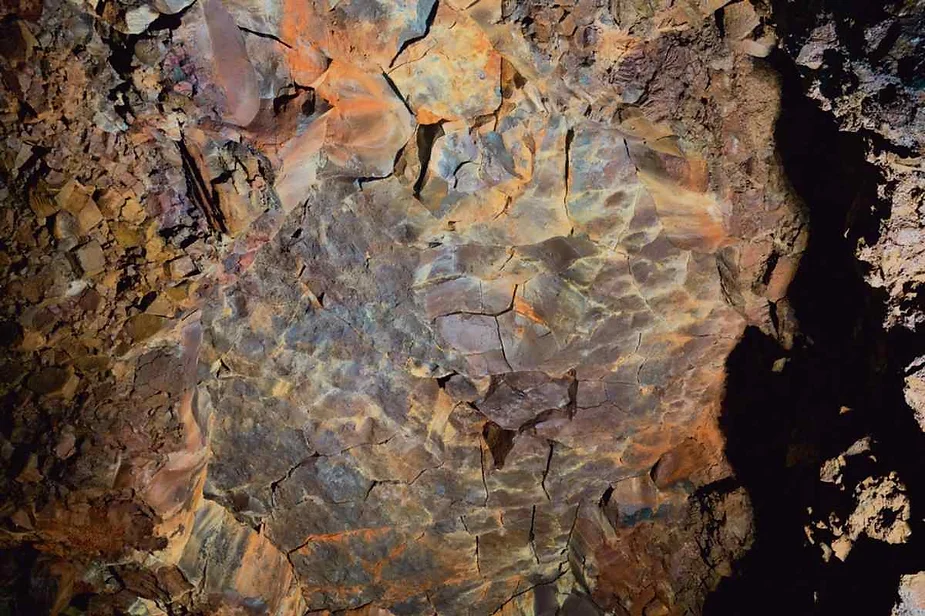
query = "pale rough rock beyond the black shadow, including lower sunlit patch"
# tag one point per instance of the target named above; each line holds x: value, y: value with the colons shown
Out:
x: 862, y: 65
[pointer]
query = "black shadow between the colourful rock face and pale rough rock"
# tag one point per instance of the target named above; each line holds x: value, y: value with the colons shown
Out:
x: 842, y: 381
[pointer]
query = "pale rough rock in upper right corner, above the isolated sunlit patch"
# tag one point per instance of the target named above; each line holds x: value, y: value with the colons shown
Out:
x: 864, y: 65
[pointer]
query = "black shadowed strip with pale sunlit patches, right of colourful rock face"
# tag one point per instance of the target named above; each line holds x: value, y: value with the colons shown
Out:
x: 839, y: 452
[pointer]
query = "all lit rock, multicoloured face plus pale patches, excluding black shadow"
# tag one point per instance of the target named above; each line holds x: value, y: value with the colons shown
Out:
x: 403, y: 307
